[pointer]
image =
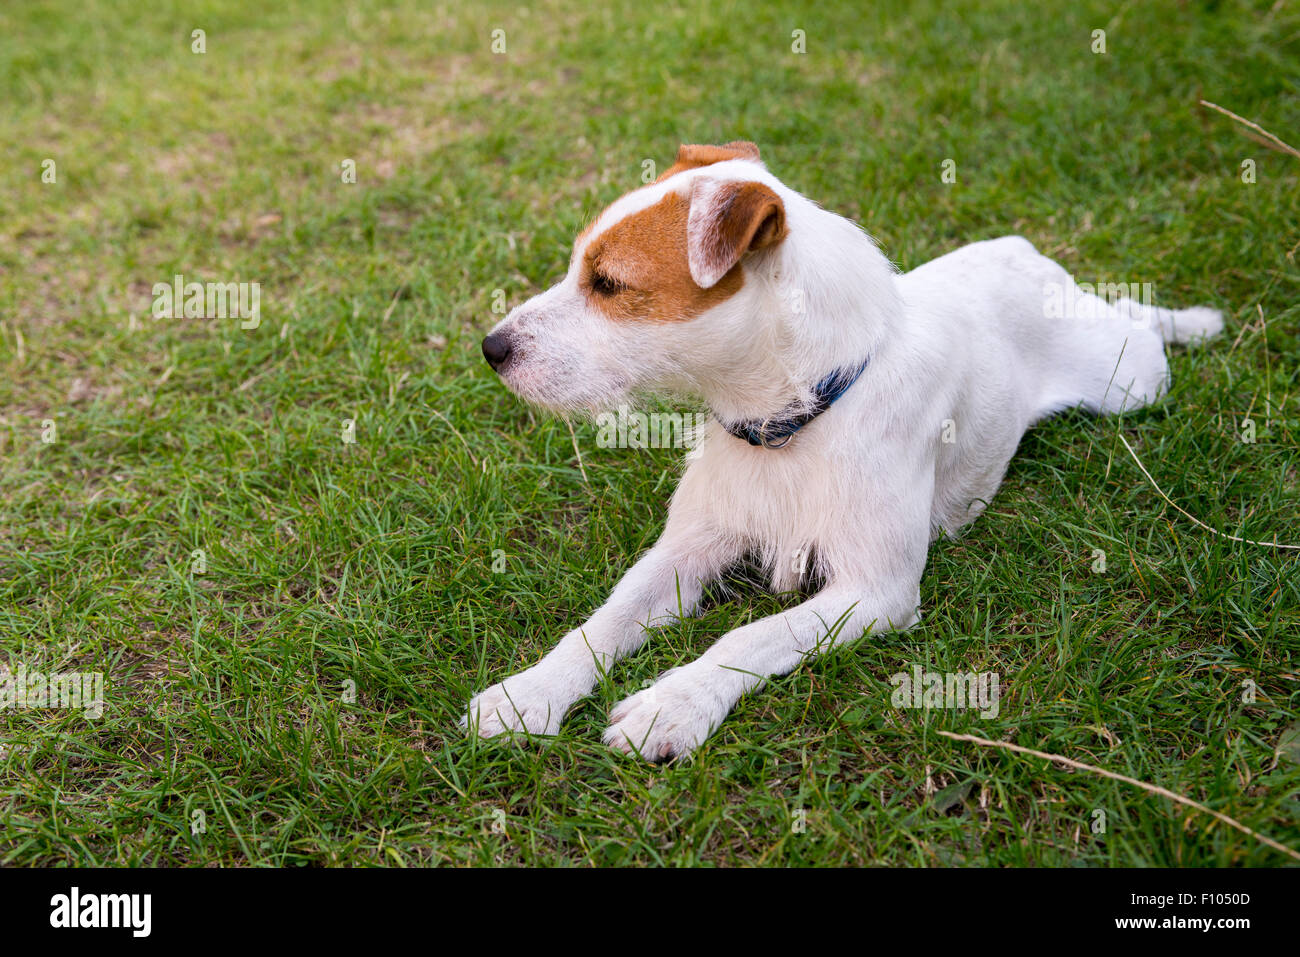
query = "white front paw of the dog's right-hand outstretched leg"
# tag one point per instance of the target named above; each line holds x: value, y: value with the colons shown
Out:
x: 666, y: 721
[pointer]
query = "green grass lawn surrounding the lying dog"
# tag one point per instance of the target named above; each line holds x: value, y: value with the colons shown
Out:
x: 372, y: 562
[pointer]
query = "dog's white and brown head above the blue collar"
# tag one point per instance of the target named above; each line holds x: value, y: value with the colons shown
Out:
x: 684, y: 285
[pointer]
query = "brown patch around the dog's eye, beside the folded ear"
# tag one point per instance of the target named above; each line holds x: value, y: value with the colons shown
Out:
x: 640, y: 269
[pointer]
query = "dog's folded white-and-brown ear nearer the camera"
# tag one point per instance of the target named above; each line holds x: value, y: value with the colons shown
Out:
x: 727, y: 220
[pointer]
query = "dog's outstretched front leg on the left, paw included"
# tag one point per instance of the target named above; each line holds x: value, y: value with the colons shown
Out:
x: 668, y: 583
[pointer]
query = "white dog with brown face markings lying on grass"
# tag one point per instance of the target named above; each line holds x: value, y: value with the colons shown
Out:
x: 857, y: 415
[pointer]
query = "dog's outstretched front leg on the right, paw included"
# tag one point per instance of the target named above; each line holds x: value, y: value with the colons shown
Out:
x: 686, y: 705
